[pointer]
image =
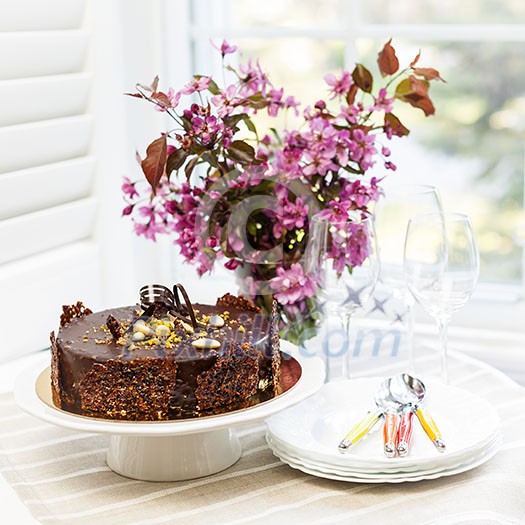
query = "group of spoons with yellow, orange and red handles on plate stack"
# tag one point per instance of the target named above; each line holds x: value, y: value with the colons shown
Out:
x: 397, y: 399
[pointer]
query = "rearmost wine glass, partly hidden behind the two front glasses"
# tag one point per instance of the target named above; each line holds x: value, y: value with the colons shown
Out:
x: 392, y: 214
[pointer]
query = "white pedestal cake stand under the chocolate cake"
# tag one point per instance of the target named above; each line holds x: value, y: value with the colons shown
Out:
x: 168, y: 450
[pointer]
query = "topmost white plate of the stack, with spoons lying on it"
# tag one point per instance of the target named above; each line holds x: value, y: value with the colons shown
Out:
x: 314, y: 428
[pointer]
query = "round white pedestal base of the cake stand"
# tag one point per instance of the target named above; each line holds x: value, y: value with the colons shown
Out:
x: 173, y: 458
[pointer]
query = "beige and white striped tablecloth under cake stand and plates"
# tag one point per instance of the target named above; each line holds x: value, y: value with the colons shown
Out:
x: 62, y: 477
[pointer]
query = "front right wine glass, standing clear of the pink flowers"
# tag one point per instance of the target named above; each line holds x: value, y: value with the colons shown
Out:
x: 441, y: 267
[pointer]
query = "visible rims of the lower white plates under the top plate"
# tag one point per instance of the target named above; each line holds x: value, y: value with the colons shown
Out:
x: 401, y: 478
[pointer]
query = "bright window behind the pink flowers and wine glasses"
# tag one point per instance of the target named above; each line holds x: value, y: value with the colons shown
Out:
x: 472, y: 150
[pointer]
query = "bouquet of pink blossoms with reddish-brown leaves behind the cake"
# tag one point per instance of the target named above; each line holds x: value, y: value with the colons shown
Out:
x: 230, y: 193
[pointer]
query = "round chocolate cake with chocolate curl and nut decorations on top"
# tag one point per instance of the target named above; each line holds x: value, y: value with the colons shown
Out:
x: 163, y: 359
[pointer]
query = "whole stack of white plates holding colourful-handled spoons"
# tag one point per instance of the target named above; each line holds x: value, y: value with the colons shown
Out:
x: 306, y: 436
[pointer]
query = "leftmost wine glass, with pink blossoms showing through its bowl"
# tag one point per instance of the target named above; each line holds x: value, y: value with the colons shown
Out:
x: 342, y: 256
